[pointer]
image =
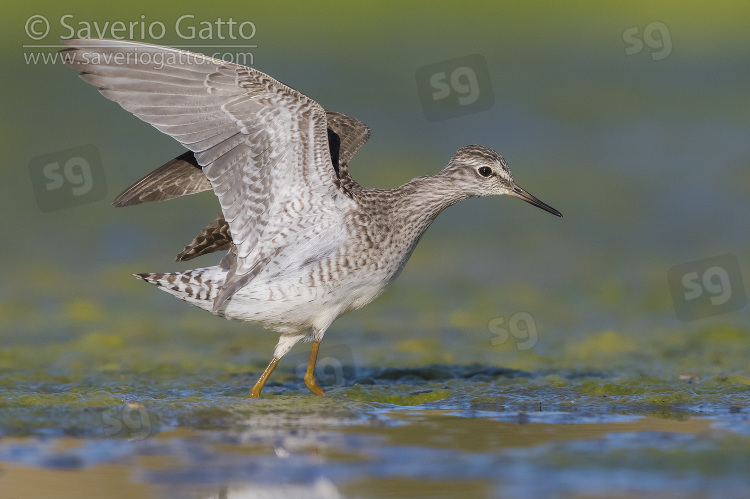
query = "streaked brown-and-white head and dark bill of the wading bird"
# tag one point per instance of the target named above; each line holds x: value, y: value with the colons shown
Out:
x: 483, y: 172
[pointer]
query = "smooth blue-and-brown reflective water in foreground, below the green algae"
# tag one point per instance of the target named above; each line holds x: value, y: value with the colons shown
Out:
x: 435, y: 453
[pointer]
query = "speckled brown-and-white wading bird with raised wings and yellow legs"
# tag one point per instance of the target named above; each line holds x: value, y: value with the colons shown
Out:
x: 305, y: 243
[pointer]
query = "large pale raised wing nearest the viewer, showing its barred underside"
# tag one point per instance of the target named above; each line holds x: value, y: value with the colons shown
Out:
x: 262, y: 145
